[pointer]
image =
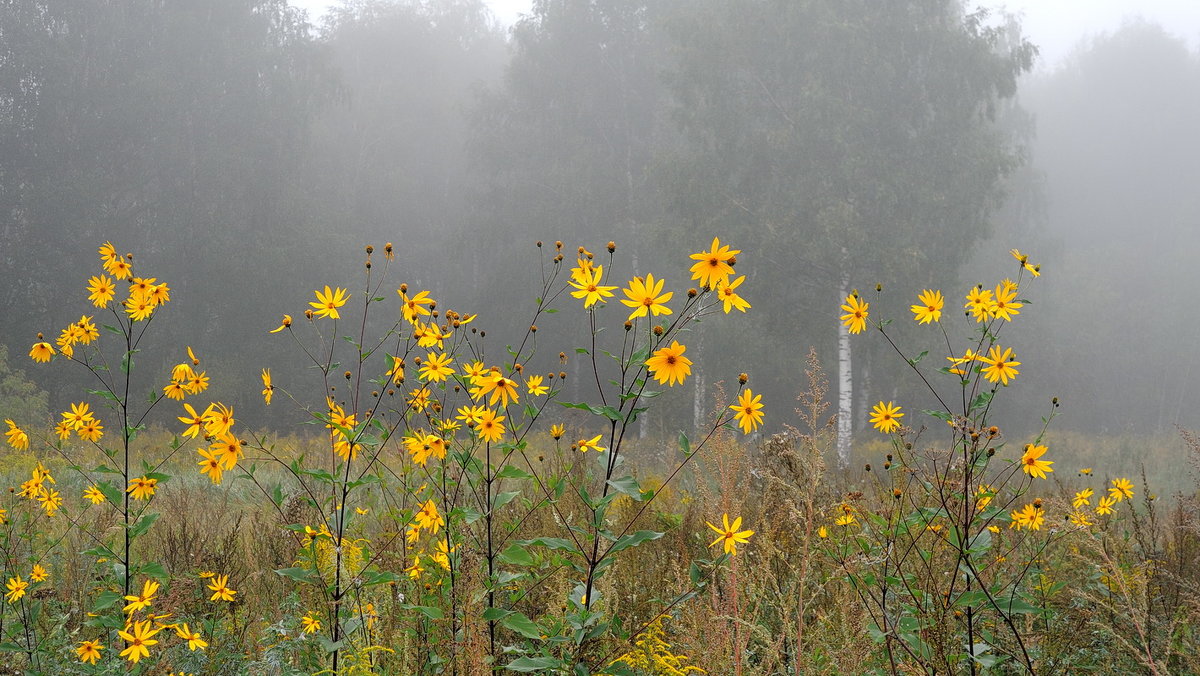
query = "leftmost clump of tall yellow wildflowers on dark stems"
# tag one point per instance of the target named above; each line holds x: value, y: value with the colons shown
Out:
x: 97, y: 442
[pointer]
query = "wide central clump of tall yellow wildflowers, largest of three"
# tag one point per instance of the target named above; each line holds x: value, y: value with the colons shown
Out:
x: 431, y: 428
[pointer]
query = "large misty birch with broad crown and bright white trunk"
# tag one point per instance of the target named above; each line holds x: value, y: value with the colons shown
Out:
x: 856, y: 135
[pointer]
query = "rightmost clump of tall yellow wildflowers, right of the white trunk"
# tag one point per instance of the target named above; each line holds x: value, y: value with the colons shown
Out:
x: 951, y: 569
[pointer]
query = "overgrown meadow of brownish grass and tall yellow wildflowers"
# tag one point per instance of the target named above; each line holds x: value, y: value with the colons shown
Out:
x: 445, y: 510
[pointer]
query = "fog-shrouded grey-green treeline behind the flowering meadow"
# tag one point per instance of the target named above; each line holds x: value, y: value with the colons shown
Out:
x: 247, y: 158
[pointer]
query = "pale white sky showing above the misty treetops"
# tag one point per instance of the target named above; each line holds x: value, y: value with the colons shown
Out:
x: 1055, y: 26
